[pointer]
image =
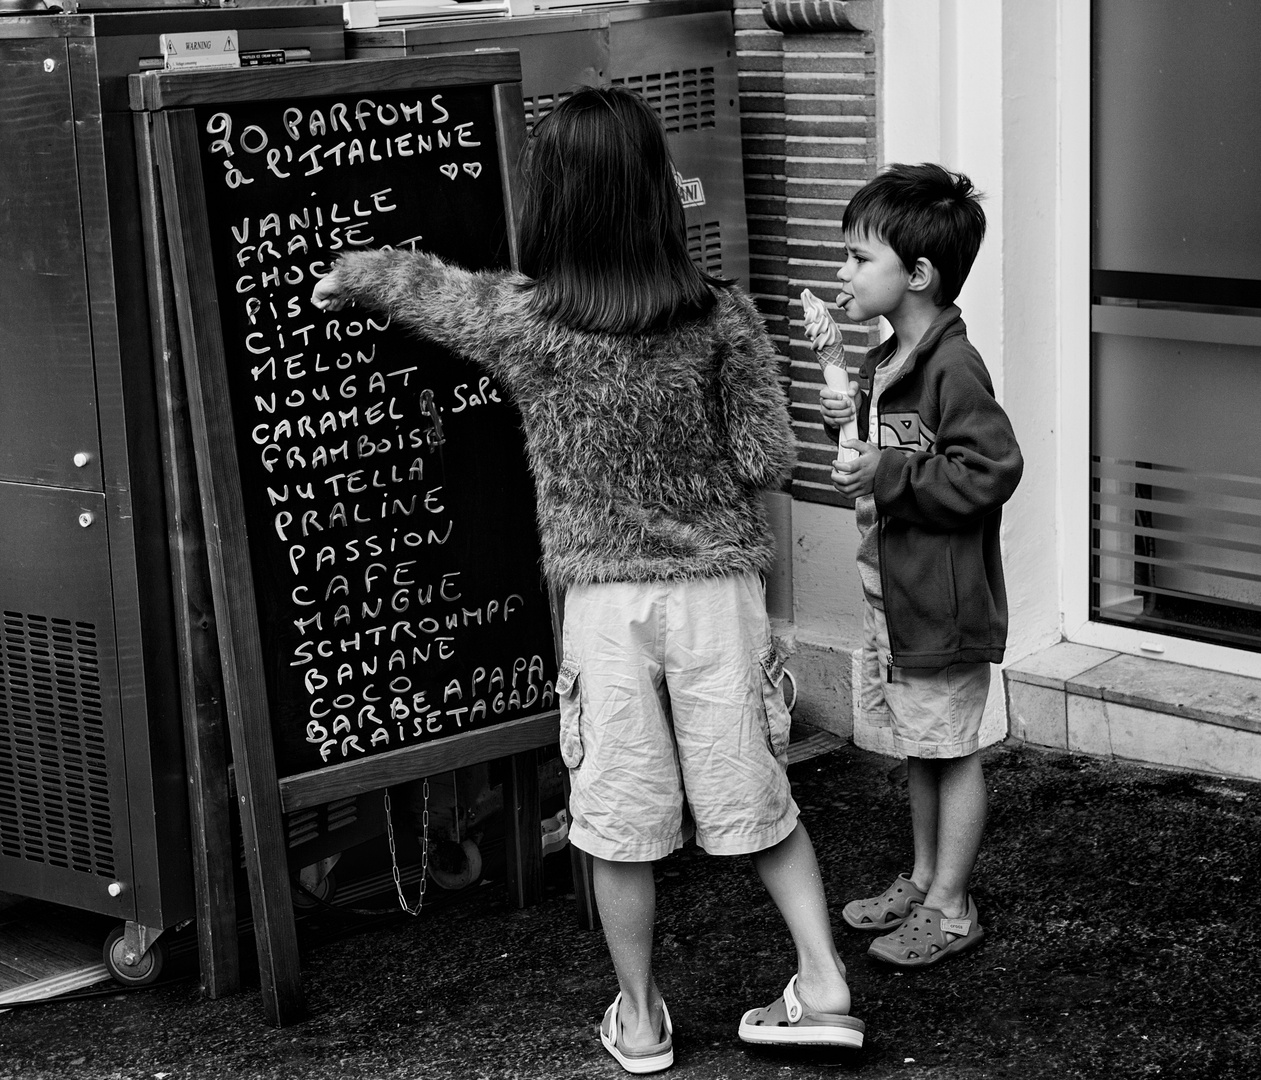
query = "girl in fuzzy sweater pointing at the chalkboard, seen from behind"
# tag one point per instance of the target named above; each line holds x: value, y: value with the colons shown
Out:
x: 654, y: 420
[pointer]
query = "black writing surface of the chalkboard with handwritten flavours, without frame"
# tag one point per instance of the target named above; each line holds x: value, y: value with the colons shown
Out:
x: 392, y: 514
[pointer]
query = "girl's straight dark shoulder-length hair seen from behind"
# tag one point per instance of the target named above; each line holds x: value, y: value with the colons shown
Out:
x: 602, y: 232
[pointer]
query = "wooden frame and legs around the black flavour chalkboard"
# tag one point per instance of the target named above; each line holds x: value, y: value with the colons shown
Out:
x: 168, y: 102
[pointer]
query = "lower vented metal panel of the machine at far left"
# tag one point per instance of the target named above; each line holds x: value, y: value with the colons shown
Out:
x: 64, y: 788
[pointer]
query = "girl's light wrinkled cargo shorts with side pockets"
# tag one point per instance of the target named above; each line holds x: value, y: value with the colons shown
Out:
x: 670, y: 692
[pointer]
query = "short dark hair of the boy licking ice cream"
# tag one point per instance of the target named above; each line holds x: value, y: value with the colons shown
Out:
x: 924, y: 213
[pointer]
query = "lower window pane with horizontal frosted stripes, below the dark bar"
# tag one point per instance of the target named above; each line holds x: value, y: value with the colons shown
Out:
x: 1177, y: 476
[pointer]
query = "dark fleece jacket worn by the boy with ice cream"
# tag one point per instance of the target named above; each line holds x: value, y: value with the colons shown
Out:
x: 939, y: 498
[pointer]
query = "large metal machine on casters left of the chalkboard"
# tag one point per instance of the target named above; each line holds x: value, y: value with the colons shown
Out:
x: 94, y: 790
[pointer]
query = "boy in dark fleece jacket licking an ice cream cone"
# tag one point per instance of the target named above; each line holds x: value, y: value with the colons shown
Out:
x: 938, y: 460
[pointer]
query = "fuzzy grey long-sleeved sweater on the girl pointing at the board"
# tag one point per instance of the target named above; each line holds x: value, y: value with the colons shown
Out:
x: 649, y: 452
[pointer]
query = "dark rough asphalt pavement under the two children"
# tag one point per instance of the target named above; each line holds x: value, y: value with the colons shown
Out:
x: 1123, y: 918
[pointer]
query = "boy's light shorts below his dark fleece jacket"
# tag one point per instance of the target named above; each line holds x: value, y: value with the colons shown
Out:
x: 936, y: 712
